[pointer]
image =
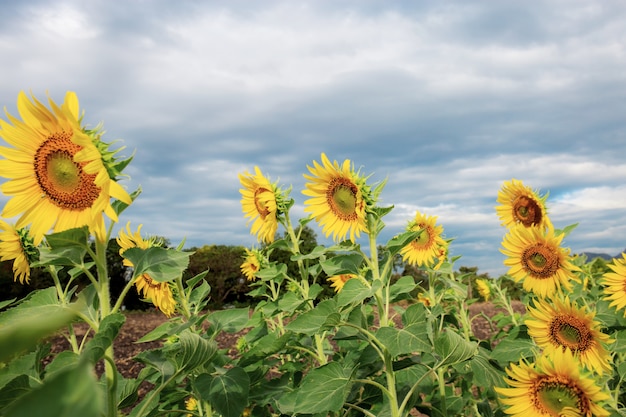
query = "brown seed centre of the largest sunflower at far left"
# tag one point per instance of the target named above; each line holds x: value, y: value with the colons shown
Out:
x: 61, y: 179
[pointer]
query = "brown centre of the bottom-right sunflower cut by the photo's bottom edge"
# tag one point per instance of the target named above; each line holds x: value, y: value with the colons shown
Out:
x: 552, y: 395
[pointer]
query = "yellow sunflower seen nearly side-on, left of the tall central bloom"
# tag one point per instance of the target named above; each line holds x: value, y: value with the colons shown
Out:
x: 259, y: 203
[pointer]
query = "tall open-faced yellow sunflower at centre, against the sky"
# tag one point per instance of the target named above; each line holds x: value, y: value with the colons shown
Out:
x: 338, y: 198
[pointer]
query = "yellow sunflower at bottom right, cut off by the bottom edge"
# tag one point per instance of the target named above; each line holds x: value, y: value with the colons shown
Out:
x: 553, y: 386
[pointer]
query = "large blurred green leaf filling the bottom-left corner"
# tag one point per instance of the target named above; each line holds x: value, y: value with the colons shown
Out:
x: 72, y: 392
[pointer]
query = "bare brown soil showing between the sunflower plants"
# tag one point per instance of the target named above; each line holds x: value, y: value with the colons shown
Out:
x: 138, y: 324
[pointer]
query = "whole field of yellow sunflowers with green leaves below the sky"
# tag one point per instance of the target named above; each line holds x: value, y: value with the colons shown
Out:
x: 375, y: 347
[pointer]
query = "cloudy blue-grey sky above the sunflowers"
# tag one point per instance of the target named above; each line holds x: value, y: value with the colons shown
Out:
x: 446, y: 99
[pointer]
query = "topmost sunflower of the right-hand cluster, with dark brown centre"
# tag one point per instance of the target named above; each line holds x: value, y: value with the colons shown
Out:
x: 521, y: 205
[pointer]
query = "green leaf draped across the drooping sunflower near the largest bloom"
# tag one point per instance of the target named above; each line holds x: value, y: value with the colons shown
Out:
x: 161, y: 264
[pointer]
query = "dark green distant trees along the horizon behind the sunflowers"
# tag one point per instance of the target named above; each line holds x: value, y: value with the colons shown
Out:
x: 228, y: 284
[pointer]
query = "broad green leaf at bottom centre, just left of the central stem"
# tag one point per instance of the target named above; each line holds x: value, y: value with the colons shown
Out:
x: 323, y: 389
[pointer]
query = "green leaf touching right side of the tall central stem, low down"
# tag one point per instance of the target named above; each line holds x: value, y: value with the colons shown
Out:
x: 410, y: 339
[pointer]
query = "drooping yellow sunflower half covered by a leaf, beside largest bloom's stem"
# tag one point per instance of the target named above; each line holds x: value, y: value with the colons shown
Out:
x: 159, y: 293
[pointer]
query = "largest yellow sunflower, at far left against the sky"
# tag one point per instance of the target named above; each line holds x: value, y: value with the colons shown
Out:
x: 57, y: 178
